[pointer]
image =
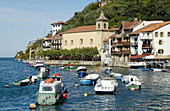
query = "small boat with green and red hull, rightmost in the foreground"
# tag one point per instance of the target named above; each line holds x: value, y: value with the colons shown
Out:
x: 136, y: 85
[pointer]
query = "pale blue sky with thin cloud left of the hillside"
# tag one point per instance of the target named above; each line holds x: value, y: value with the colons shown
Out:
x: 22, y: 21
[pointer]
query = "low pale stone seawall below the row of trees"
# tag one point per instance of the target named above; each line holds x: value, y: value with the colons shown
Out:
x: 59, y: 62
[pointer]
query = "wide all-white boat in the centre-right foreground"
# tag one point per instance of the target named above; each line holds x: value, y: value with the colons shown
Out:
x: 106, y: 85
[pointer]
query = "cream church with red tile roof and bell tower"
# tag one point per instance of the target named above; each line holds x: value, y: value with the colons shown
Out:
x: 88, y: 36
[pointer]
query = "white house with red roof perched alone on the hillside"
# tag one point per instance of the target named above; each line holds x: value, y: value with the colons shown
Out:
x: 56, y: 27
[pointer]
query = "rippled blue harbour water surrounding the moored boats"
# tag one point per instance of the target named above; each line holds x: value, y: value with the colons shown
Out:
x: 154, y: 95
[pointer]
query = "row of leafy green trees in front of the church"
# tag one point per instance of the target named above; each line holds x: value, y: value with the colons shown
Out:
x: 74, y: 54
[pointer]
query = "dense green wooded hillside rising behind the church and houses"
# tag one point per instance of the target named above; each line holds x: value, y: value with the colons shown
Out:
x: 121, y: 10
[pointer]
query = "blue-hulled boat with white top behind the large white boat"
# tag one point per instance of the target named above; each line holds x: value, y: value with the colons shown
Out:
x: 89, y: 79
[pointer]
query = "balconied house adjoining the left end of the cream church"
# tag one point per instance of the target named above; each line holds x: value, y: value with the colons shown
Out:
x: 54, y: 42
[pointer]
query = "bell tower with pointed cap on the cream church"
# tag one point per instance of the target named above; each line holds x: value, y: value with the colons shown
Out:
x: 102, y: 22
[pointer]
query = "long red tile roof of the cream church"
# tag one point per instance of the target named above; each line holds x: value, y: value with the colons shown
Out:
x: 85, y: 28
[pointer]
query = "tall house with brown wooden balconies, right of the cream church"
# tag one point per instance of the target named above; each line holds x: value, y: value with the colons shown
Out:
x: 120, y: 43
